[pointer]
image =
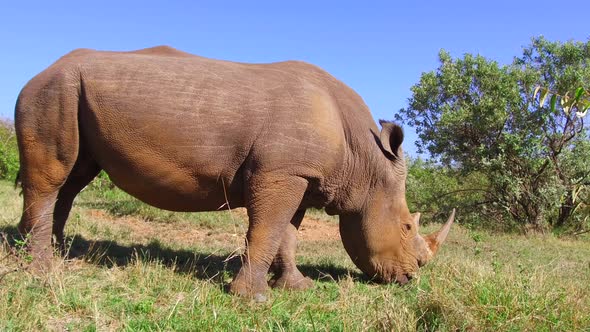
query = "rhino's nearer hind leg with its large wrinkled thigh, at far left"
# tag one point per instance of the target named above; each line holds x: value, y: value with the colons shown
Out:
x: 46, y: 124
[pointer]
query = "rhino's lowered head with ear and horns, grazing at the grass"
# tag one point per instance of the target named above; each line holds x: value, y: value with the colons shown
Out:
x: 382, y: 238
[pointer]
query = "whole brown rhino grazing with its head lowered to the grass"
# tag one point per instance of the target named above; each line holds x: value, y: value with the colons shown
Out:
x: 187, y: 133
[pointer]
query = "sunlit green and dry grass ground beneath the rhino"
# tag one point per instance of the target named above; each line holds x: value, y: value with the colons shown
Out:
x: 140, y: 268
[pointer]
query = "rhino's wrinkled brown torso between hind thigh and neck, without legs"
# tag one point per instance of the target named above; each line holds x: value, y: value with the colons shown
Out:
x: 195, y: 128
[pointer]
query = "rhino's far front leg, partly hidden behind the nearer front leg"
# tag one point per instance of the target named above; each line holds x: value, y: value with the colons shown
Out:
x: 287, y: 275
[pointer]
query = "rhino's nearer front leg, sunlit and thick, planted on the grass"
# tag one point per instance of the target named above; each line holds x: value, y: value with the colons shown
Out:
x: 272, y: 203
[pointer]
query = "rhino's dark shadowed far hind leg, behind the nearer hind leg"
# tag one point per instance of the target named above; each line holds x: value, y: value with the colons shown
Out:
x: 83, y: 173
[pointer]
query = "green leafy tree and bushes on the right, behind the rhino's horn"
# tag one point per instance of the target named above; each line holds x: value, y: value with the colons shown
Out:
x: 482, y: 120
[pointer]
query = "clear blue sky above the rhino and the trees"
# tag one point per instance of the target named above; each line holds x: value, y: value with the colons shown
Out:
x: 379, y: 48
